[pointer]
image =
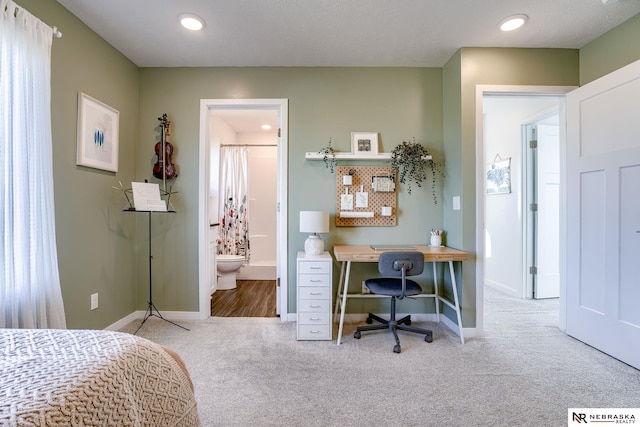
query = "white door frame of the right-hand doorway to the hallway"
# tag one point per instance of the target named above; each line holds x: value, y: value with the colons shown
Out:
x: 481, y: 91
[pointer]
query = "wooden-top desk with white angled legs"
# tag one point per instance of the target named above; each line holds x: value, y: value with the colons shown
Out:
x: 364, y: 253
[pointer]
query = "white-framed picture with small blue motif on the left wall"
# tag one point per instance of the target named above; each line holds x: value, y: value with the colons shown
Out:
x: 98, y: 133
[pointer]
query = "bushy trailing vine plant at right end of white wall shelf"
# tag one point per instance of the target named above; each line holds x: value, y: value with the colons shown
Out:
x: 409, y: 160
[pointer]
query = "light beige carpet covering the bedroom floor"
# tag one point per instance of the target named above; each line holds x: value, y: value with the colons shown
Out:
x: 524, y: 371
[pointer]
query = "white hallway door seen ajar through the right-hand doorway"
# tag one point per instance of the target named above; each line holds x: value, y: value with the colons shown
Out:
x: 547, y: 281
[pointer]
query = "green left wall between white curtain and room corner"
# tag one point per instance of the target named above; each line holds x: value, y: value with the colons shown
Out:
x: 96, y: 243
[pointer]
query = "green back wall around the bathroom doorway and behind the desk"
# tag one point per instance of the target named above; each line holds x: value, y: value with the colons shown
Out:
x: 400, y: 103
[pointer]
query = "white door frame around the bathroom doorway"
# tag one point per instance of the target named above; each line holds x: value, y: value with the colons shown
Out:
x: 206, y: 105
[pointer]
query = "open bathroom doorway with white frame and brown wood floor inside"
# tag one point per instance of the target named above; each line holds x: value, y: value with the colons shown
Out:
x: 256, y: 127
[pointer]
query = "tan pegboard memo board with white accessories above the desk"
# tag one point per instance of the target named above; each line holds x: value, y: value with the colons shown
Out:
x: 363, y: 176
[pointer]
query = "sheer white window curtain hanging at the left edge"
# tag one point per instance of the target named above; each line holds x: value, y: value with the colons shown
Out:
x: 30, y: 295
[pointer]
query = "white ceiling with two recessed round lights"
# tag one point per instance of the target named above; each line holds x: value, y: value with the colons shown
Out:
x: 380, y: 33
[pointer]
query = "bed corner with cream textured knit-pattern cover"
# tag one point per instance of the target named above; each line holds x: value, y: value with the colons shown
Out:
x: 88, y: 378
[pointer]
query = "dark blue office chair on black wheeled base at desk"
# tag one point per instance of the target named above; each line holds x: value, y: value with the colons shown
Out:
x: 396, y: 264
